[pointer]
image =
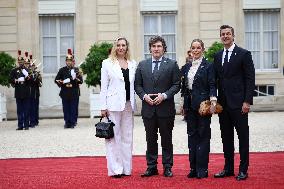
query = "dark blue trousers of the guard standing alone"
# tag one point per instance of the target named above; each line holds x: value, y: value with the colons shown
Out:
x: 69, y: 110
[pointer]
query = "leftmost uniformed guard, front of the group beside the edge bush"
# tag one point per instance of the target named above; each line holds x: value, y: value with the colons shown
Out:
x: 19, y: 79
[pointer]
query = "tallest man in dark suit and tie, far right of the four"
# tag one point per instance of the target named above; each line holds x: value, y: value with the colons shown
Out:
x: 236, y: 81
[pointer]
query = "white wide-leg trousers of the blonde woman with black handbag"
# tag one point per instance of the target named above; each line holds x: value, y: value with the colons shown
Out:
x: 119, y: 148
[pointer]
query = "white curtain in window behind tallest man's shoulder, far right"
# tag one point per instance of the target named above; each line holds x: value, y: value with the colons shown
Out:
x: 262, y: 38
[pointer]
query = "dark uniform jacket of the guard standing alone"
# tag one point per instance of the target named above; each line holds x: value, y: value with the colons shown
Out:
x: 68, y: 92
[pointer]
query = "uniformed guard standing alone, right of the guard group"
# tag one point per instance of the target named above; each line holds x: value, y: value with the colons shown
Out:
x: 68, y: 79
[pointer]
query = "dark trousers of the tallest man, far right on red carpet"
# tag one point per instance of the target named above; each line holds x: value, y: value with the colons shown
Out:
x: 229, y: 119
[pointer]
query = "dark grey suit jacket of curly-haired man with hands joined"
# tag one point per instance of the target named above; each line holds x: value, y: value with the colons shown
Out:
x: 168, y: 82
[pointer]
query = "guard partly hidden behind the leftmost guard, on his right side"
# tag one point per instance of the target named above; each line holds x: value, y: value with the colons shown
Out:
x: 35, y: 84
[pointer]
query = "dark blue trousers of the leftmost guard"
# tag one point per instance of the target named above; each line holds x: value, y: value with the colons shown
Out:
x: 23, y: 105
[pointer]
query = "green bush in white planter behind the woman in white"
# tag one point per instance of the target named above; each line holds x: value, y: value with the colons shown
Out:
x: 92, y: 68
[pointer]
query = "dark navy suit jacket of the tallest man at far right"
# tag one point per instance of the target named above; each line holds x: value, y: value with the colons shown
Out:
x: 236, y: 79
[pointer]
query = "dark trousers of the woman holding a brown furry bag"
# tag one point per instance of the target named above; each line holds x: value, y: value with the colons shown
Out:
x: 199, y: 134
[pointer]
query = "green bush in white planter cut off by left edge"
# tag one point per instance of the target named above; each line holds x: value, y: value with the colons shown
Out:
x: 7, y: 63
